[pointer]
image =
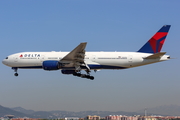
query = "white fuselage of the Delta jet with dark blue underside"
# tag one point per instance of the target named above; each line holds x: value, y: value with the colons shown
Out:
x: 95, y: 60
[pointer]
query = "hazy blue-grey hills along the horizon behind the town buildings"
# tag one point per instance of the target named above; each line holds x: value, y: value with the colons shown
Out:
x: 171, y: 110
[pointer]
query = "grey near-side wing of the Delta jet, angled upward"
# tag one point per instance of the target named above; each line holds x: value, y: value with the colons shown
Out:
x: 76, y: 56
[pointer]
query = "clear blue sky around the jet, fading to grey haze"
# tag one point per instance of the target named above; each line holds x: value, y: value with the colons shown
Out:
x: 106, y: 25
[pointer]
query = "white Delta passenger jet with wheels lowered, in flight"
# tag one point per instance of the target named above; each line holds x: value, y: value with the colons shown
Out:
x: 72, y: 63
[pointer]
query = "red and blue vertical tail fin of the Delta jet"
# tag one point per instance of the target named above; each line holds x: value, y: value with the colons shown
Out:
x: 155, y: 44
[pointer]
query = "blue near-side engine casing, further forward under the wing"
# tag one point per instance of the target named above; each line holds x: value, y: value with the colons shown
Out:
x: 51, y: 65
